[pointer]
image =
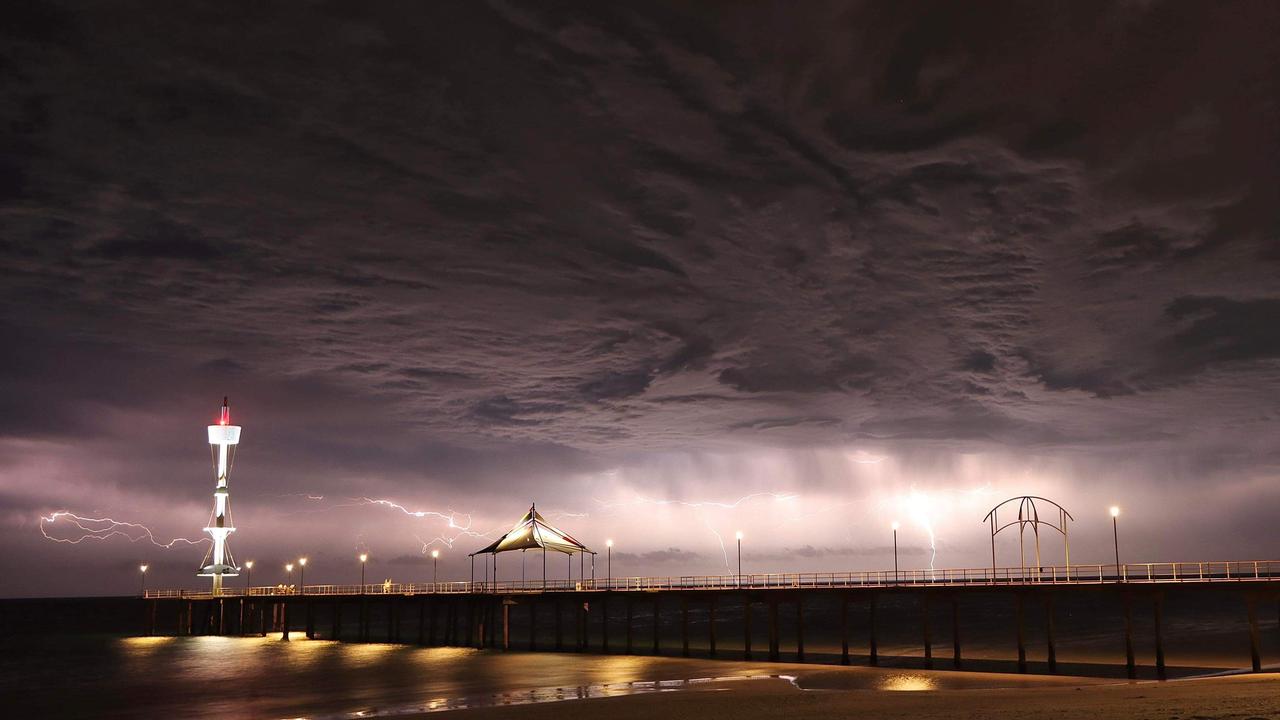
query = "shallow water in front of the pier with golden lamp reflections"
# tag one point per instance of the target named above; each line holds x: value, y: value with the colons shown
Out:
x: 326, y: 680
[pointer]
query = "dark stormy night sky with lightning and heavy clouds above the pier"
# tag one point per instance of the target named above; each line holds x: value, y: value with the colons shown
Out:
x: 669, y: 270
